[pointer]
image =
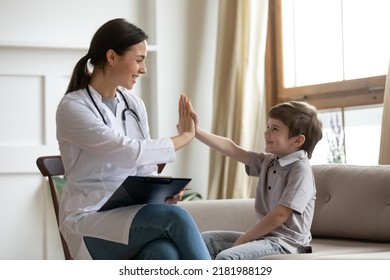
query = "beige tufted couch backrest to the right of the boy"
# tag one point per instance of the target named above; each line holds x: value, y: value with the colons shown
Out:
x: 352, y: 202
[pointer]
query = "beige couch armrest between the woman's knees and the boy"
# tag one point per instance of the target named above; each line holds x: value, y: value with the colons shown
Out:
x: 222, y: 214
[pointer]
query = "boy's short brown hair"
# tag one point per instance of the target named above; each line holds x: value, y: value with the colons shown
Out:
x: 300, y: 118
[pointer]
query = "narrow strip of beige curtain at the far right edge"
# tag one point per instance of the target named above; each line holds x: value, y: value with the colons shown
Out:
x: 384, y: 152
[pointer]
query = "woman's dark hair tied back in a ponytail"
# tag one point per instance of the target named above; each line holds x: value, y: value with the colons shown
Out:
x: 117, y: 35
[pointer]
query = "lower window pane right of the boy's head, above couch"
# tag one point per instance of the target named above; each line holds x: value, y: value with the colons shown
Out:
x: 350, y: 135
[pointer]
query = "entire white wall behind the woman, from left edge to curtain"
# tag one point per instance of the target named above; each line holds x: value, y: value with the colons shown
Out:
x: 40, y: 41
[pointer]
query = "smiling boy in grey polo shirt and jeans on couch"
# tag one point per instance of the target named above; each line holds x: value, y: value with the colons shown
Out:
x: 286, y: 190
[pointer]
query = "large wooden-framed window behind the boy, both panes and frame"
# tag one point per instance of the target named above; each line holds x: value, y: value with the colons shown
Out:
x: 335, y: 55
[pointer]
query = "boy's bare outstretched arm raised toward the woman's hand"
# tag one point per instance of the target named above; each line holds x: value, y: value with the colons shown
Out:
x: 223, y: 145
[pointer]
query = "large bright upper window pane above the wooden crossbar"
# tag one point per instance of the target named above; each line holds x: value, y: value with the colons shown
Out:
x: 334, y: 40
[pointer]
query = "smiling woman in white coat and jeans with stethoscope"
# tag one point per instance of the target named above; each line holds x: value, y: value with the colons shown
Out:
x: 103, y: 136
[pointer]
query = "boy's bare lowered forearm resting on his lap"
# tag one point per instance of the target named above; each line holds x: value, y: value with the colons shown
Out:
x: 265, y: 225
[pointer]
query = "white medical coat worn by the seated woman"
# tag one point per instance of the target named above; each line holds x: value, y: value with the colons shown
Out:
x: 97, y: 158
